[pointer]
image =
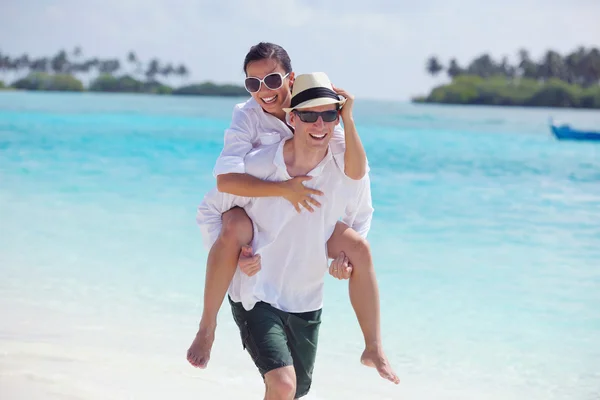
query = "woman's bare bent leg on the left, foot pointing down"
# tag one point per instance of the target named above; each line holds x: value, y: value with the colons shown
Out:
x: 220, y: 268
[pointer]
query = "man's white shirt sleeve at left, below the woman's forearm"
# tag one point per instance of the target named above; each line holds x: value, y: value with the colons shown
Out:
x: 209, y: 212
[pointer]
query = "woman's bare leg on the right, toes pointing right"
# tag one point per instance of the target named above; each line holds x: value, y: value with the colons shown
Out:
x: 364, y: 295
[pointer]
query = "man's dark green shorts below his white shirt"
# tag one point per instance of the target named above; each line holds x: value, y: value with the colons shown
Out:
x: 276, y: 339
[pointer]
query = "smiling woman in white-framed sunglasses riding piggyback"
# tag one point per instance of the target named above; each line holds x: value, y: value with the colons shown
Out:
x: 262, y: 121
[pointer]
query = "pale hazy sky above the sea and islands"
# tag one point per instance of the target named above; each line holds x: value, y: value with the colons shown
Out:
x: 374, y: 49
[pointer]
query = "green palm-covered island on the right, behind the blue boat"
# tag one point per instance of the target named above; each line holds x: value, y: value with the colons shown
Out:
x: 554, y: 81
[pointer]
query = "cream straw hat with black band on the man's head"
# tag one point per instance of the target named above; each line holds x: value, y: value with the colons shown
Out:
x: 312, y: 90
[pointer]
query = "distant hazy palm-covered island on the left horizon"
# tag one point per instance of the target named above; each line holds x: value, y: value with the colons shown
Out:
x: 62, y: 72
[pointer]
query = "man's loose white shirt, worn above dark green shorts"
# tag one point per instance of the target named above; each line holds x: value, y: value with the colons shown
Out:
x: 292, y: 245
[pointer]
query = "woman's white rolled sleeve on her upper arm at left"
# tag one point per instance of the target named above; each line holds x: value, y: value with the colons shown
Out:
x: 237, y: 143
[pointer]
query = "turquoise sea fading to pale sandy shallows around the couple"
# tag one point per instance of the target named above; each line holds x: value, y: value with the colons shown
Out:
x: 486, y: 238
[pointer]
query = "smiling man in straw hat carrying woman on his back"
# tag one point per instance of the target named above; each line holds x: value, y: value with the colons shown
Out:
x: 278, y: 309
